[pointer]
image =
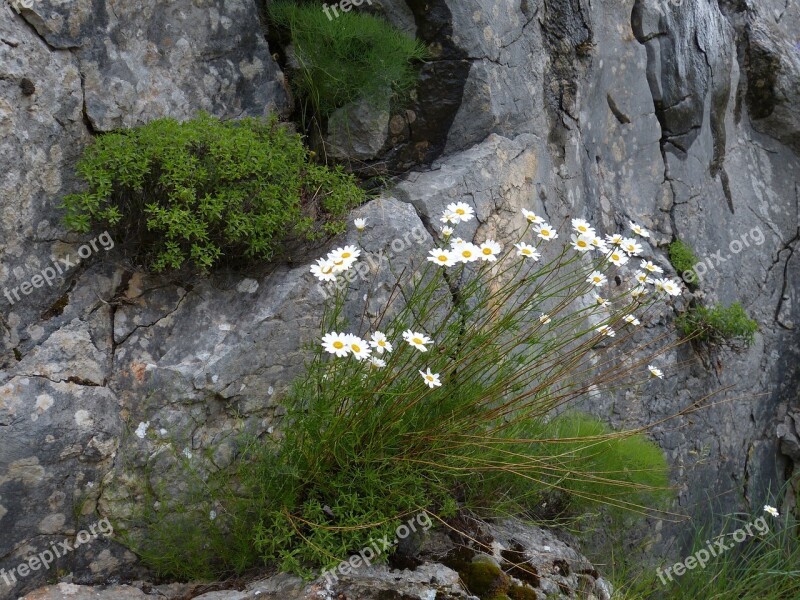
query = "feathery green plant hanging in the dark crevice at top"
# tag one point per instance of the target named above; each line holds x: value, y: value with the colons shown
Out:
x: 350, y: 57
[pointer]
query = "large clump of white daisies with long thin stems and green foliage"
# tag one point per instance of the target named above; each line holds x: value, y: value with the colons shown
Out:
x: 370, y: 439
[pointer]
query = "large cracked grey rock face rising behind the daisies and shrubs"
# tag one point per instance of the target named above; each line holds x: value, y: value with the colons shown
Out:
x: 682, y: 117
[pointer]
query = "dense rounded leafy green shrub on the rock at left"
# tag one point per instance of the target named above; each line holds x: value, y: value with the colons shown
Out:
x: 206, y: 189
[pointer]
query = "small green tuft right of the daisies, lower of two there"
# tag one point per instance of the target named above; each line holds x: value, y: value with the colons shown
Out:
x: 719, y: 324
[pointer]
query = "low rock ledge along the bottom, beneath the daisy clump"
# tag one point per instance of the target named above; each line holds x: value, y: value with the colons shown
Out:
x: 524, y: 557
